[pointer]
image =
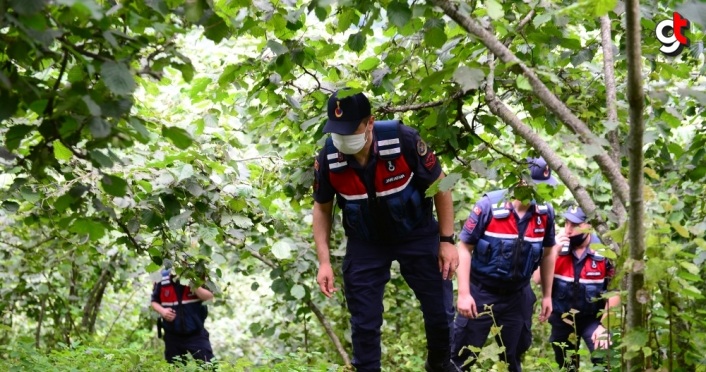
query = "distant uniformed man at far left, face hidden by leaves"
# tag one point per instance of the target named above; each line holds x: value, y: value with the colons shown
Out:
x: 182, y: 316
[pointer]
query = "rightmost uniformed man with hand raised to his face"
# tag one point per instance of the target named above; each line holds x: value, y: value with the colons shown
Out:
x: 581, y: 276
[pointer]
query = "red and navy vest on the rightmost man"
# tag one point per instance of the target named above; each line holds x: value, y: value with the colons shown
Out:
x: 580, y: 291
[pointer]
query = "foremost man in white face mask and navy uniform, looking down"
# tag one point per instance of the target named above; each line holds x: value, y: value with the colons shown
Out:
x: 378, y: 172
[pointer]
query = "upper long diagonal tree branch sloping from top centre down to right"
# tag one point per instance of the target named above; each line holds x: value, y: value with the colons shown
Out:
x: 609, y: 168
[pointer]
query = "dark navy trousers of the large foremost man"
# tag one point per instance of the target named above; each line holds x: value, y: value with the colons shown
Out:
x: 366, y: 271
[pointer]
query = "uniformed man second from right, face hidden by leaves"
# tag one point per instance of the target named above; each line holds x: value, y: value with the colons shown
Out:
x: 508, y: 240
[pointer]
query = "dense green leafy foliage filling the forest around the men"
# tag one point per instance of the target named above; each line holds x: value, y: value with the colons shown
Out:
x: 138, y: 130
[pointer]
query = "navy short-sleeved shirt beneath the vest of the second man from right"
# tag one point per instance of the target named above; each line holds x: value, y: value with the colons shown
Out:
x: 480, y: 217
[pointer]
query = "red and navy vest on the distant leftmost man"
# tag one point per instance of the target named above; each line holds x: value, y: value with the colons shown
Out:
x: 190, y: 312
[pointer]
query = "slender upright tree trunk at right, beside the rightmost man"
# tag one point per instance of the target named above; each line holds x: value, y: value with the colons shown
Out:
x: 637, y: 295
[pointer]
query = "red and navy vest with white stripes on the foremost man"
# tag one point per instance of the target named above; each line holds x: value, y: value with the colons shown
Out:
x: 394, y: 207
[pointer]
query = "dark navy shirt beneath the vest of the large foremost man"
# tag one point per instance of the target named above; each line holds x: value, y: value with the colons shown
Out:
x: 421, y: 161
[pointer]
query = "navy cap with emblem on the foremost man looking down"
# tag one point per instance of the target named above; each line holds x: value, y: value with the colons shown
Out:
x: 345, y: 114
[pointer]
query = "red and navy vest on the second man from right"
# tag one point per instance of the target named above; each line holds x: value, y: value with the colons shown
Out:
x: 505, y: 257
